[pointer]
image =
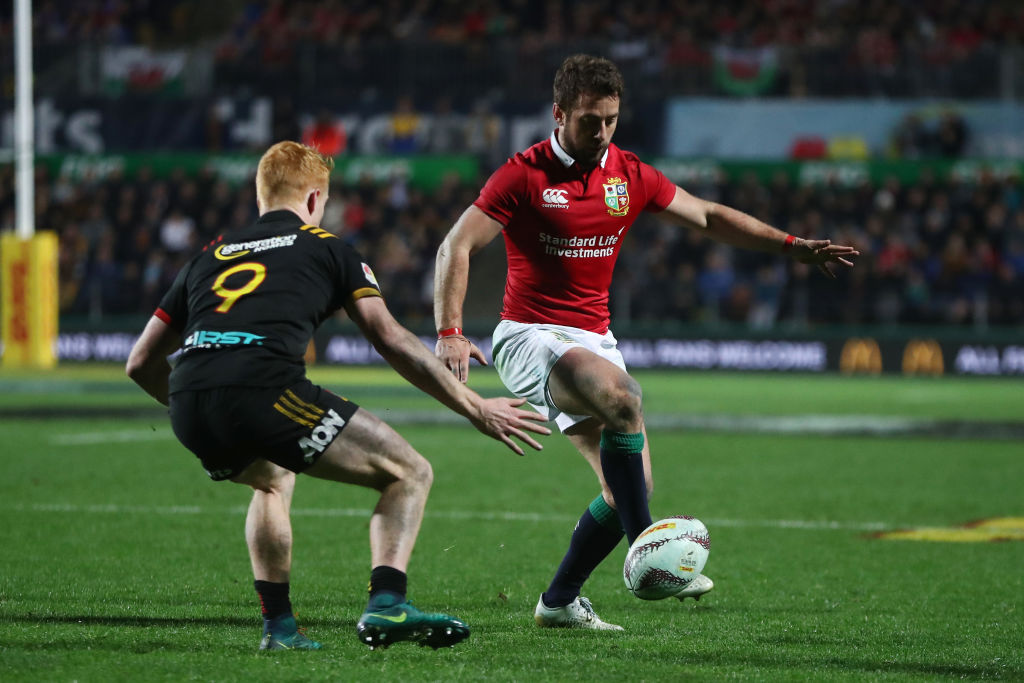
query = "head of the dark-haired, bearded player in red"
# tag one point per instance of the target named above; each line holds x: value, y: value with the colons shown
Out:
x: 587, y: 94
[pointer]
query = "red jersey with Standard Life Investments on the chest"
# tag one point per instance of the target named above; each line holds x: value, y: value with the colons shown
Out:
x: 564, y: 230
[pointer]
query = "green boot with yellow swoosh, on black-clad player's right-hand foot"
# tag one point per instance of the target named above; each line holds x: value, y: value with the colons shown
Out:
x: 380, y: 628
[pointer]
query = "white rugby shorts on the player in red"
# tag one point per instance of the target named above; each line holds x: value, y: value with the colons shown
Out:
x: 526, y: 353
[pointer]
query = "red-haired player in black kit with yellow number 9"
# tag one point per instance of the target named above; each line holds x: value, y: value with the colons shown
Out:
x: 243, y: 312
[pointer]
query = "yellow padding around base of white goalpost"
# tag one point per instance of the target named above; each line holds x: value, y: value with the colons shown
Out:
x: 29, y: 301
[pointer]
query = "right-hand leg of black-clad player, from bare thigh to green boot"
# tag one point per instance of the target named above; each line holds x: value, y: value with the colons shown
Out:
x: 370, y: 454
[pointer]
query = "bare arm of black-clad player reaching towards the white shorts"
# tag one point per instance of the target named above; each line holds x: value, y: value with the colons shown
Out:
x: 500, y: 418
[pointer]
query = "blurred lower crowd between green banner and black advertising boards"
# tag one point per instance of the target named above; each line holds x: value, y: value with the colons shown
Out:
x: 934, y: 252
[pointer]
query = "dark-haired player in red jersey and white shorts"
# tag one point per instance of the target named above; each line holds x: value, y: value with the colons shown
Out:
x: 564, y: 207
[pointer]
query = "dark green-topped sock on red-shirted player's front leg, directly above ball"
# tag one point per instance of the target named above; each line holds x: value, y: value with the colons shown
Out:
x: 622, y: 464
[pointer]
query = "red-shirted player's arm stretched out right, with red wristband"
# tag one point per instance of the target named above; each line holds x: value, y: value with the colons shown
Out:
x: 741, y: 230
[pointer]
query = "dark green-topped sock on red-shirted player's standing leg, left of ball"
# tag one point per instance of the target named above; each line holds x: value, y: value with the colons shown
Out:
x: 596, y: 535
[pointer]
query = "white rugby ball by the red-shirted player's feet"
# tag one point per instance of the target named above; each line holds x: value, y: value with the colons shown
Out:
x: 666, y: 558
